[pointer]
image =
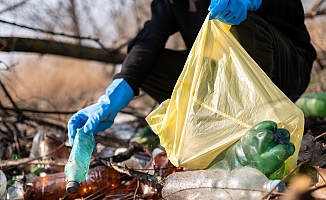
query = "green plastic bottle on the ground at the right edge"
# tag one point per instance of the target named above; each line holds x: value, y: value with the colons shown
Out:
x: 312, y: 104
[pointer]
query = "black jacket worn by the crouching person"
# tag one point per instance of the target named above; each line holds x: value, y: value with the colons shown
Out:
x: 171, y: 16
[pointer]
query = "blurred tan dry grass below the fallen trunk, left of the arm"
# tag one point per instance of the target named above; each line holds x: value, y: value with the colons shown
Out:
x: 55, y: 82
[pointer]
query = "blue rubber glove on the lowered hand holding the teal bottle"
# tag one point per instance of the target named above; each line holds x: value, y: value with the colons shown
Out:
x: 101, y: 115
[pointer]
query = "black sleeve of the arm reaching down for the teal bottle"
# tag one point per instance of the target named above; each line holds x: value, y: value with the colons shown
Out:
x: 145, y: 49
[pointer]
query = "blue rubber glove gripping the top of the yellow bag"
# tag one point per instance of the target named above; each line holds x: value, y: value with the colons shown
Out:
x: 232, y: 12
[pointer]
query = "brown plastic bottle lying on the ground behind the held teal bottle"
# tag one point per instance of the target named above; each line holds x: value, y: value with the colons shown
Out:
x: 100, y: 180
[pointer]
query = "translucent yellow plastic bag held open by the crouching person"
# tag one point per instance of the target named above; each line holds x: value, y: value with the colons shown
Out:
x: 220, y: 94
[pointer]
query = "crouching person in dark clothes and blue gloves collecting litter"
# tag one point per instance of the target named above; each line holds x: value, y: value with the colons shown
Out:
x: 273, y: 32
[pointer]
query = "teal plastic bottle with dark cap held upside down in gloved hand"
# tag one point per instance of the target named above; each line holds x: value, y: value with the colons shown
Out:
x: 77, y: 167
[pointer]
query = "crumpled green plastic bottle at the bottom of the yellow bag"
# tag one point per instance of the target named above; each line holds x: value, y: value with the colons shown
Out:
x: 264, y: 147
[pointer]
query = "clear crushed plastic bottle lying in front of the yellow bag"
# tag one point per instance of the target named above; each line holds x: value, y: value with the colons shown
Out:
x: 244, y: 183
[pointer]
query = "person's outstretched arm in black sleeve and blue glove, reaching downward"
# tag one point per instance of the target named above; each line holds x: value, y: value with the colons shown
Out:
x: 143, y: 52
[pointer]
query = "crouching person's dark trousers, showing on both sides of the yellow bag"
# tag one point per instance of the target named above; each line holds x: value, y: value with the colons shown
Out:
x: 284, y: 63
